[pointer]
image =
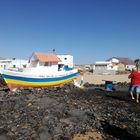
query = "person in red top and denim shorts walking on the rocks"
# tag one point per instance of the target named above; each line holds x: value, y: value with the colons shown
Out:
x: 135, y: 84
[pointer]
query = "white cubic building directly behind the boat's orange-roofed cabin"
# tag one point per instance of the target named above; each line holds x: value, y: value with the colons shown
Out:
x: 66, y: 61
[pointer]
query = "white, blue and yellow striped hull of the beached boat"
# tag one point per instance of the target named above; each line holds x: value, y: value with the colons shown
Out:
x: 16, y: 80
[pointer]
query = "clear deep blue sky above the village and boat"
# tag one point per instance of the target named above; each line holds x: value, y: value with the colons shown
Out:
x: 90, y: 30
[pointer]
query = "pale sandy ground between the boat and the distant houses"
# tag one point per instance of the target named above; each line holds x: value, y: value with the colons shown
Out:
x: 99, y: 79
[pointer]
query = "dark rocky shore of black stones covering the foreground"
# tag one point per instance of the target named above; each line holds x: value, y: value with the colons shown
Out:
x: 68, y: 113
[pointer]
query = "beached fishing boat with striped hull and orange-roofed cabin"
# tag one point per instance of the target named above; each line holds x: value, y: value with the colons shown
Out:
x: 43, y: 71
